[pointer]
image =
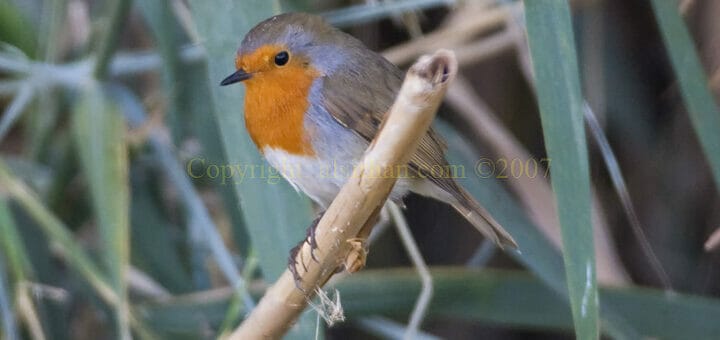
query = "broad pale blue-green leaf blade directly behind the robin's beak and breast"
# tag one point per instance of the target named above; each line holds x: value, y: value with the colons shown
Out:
x: 275, y: 216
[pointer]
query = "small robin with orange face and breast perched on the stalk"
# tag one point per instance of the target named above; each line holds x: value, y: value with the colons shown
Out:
x: 317, y: 96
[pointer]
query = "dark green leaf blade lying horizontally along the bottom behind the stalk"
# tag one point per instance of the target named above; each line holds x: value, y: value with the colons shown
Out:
x: 503, y: 297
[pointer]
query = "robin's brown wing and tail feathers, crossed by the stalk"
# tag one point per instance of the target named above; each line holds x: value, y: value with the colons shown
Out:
x: 375, y: 82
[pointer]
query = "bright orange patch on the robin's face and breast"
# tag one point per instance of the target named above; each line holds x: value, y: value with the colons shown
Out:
x: 275, y: 106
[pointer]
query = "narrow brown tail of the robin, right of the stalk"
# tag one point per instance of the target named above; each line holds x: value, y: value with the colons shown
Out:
x: 481, y: 219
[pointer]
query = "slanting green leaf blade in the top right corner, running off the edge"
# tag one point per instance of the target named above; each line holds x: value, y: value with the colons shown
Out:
x: 701, y: 106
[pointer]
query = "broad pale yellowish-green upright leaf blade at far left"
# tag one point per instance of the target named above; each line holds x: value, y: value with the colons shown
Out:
x: 99, y: 131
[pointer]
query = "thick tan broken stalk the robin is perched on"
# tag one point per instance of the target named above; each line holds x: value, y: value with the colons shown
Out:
x: 359, y: 200
